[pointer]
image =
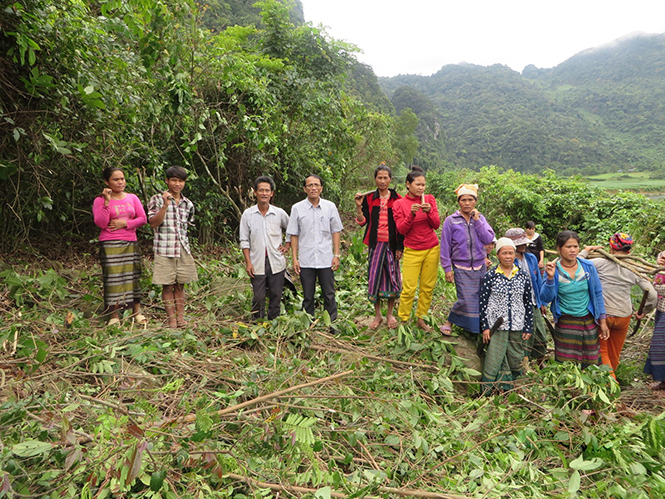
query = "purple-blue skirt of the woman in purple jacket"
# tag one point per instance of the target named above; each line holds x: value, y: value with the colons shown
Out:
x: 466, y: 310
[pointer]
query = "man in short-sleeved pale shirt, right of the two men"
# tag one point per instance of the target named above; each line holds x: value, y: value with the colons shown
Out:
x: 315, y: 229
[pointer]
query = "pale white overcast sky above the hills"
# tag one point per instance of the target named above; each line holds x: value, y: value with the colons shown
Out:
x: 421, y: 36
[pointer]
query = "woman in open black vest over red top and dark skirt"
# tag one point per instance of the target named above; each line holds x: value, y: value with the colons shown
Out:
x: 386, y: 244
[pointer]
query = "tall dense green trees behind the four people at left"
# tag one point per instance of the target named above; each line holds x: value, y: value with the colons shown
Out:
x: 142, y: 85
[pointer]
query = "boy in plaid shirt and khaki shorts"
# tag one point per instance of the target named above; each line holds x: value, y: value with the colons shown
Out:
x: 169, y: 214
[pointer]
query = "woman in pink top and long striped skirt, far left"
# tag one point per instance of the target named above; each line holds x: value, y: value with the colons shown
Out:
x: 118, y: 214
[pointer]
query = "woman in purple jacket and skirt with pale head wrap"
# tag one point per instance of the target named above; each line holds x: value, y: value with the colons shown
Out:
x: 463, y: 238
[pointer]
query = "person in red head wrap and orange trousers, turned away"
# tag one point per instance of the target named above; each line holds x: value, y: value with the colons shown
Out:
x: 617, y: 281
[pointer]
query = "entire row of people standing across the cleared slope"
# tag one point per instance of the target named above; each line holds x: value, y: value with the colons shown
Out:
x: 589, y: 299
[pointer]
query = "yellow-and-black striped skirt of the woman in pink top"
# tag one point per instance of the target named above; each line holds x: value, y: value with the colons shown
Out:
x: 121, y: 270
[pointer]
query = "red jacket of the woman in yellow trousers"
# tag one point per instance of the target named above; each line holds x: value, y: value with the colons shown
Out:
x: 418, y: 229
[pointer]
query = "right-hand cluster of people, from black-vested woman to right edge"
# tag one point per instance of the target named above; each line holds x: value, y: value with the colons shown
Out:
x: 589, y: 299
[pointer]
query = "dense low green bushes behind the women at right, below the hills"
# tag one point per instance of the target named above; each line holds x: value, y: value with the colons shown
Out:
x: 510, y: 199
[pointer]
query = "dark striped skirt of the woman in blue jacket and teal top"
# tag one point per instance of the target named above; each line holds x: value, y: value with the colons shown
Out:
x: 576, y: 340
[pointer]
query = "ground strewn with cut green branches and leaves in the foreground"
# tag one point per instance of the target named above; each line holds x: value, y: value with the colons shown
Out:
x: 226, y: 408
